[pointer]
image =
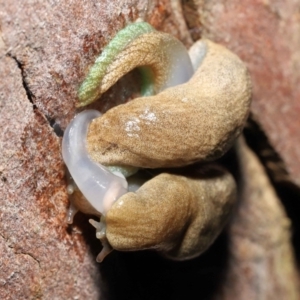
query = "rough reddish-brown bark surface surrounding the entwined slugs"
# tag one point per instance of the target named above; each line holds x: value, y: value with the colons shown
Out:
x: 46, y: 49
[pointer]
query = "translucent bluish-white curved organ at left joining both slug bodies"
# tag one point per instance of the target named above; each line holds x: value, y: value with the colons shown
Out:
x: 97, y: 184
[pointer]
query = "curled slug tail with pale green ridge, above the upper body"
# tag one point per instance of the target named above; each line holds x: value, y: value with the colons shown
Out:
x: 162, y: 59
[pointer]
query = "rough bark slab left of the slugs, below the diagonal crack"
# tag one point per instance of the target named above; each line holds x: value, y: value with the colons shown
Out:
x: 39, y: 258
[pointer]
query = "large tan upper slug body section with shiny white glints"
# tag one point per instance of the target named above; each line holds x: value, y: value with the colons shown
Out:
x: 195, y: 121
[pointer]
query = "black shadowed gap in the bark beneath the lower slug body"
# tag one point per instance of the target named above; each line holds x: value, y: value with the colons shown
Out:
x: 148, y: 276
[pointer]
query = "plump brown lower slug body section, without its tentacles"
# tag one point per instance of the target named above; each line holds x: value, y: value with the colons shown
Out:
x: 179, y: 216
